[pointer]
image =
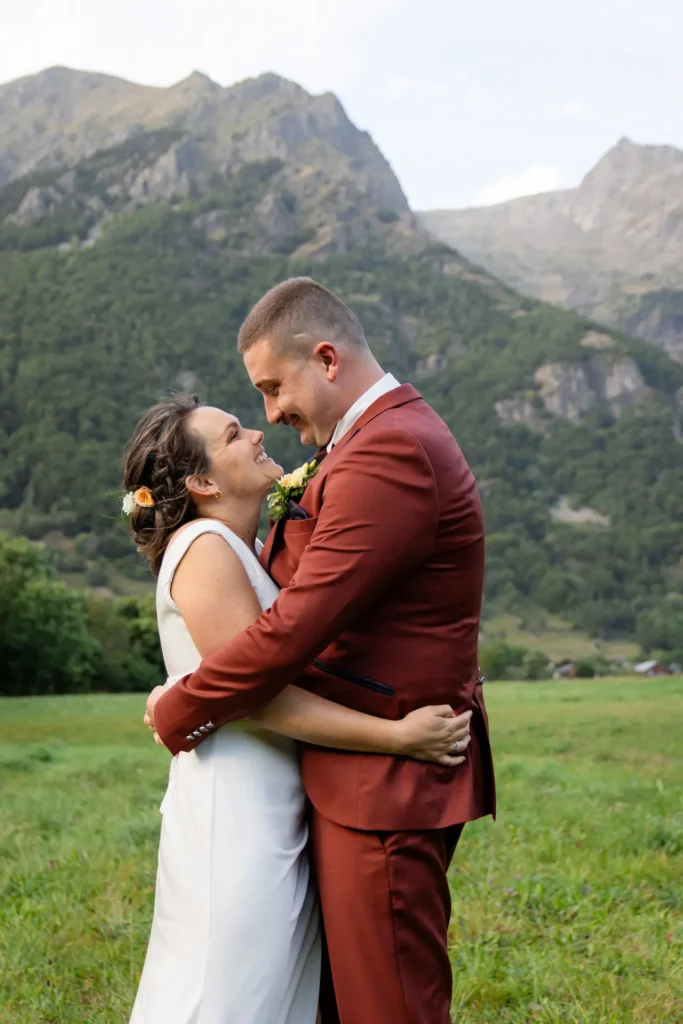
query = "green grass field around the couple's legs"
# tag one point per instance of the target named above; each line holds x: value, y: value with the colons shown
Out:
x: 568, y: 910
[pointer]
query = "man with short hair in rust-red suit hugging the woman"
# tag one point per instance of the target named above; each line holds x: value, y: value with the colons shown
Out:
x: 382, y: 576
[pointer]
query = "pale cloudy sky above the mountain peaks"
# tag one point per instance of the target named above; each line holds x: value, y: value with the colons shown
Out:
x: 473, y: 103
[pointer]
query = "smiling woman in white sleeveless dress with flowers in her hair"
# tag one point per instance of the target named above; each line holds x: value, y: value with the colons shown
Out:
x: 235, y: 937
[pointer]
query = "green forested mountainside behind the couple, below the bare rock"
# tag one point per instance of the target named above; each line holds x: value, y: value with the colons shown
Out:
x: 92, y: 336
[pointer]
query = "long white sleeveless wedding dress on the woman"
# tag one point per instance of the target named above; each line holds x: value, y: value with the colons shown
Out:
x: 235, y: 937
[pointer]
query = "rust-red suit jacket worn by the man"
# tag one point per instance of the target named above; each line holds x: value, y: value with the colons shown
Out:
x: 379, y: 612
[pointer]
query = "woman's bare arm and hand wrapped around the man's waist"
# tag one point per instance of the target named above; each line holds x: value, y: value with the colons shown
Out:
x: 218, y: 602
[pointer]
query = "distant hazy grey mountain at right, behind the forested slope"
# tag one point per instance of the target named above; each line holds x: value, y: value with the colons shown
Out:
x: 612, y: 249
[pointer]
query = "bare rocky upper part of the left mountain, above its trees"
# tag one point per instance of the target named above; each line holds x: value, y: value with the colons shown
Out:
x: 77, y: 142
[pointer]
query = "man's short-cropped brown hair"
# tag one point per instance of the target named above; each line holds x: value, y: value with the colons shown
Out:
x: 297, y: 315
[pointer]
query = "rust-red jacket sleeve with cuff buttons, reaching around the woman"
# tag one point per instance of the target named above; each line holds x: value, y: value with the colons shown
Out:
x: 377, y: 523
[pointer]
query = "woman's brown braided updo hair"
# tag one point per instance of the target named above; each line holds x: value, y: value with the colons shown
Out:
x: 160, y: 456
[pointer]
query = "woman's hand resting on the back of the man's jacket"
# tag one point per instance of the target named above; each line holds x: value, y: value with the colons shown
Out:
x: 432, y: 735
